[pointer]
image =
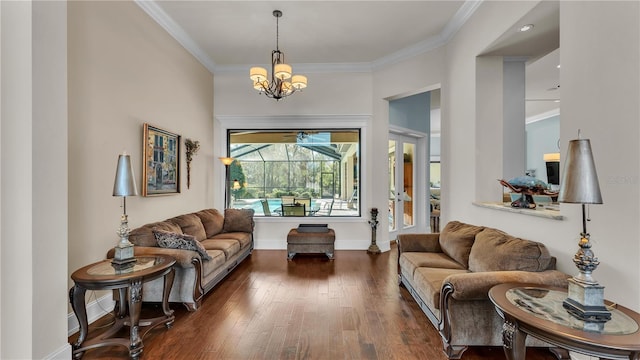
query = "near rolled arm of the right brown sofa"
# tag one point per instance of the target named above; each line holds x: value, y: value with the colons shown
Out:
x: 475, y: 286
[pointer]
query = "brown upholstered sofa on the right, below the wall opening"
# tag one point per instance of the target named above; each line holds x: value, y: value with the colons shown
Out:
x: 449, y: 274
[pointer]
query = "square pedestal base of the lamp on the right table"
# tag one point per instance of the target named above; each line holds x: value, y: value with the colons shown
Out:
x: 586, y: 302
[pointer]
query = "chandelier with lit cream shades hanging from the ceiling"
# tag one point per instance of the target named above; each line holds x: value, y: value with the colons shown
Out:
x: 282, y: 83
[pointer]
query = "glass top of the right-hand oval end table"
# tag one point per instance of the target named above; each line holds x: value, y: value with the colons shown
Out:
x: 547, y: 304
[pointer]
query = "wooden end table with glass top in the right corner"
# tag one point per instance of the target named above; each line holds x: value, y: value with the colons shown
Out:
x: 537, y: 310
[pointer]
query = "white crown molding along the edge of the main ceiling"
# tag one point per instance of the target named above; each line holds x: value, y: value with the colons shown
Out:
x: 457, y: 21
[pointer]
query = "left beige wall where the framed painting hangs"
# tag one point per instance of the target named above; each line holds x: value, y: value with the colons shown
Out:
x: 125, y: 70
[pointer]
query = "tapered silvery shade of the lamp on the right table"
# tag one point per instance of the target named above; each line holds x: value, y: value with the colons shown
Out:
x: 579, y: 183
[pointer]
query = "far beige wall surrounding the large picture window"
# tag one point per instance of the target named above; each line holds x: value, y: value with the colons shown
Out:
x: 332, y: 100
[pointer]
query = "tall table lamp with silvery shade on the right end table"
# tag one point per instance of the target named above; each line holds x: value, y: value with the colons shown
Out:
x: 580, y: 185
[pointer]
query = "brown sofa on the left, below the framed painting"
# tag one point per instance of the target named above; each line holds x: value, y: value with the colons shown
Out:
x: 226, y: 239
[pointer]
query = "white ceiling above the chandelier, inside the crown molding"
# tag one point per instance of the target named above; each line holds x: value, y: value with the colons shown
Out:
x: 231, y: 33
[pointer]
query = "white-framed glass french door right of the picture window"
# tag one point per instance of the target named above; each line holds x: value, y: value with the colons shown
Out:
x: 403, y: 157
